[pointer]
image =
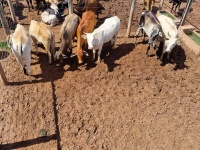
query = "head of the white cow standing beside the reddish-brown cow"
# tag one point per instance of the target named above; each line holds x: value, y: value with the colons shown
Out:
x: 91, y: 40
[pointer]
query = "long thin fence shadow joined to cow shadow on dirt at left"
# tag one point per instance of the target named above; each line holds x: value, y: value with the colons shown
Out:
x: 50, y: 73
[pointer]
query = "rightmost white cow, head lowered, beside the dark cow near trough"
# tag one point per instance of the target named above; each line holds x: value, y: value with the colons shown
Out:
x: 171, y: 34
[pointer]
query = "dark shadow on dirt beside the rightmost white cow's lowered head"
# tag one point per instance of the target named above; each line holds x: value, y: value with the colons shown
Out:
x: 176, y: 57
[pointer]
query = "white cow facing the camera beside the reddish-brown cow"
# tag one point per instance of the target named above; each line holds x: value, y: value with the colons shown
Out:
x: 106, y: 32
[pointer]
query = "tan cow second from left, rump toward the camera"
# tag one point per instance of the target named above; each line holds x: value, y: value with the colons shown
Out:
x: 42, y: 33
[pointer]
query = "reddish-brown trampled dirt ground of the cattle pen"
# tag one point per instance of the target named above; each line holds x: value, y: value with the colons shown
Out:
x: 126, y: 102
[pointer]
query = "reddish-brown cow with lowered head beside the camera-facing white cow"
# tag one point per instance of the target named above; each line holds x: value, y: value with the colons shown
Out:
x: 87, y: 24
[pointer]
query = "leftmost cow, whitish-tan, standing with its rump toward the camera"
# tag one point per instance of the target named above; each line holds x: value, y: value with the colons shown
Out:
x: 20, y: 43
